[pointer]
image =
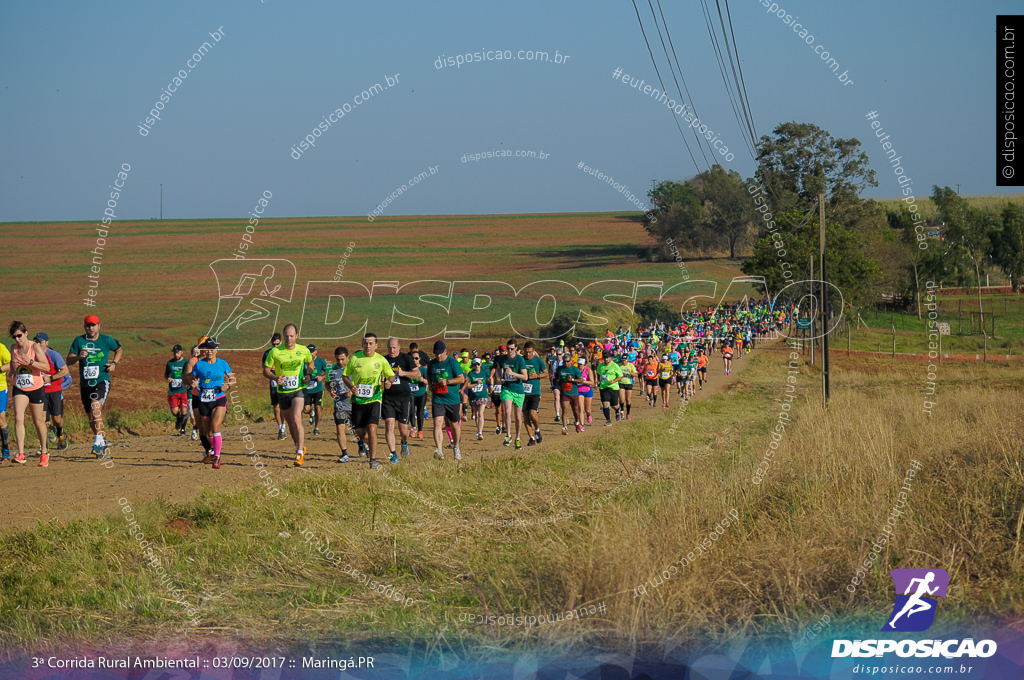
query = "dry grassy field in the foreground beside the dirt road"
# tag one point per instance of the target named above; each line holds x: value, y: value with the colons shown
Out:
x: 258, y: 570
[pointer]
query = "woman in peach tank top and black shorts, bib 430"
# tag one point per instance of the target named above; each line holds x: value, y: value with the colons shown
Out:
x: 28, y: 366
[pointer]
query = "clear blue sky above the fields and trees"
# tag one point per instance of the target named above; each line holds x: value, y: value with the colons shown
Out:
x: 77, y: 79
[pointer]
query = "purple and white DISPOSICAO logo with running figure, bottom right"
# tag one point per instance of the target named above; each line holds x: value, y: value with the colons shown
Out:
x: 915, y: 612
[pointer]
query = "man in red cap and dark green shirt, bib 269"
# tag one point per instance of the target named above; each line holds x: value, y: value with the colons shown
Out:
x: 98, y: 355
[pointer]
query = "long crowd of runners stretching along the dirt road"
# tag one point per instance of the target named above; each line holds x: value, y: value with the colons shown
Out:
x: 382, y: 382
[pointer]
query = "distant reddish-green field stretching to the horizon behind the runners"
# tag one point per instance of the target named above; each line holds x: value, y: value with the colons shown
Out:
x: 156, y: 286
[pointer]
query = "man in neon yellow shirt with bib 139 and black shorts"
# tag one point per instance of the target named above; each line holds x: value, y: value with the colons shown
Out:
x: 368, y: 375
